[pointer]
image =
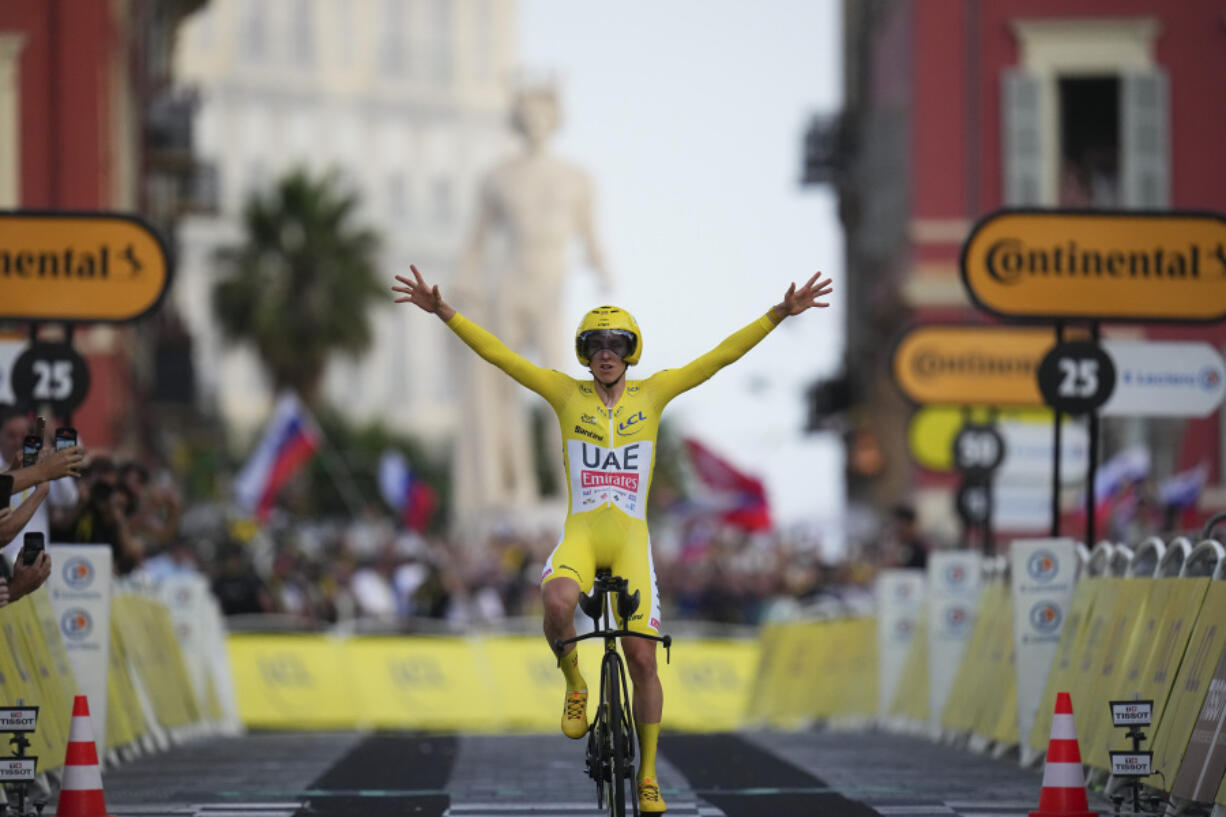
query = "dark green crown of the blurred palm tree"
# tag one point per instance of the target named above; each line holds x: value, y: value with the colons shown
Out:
x: 300, y: 286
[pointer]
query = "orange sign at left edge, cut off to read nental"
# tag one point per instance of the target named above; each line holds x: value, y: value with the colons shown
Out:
x: 79, y: 267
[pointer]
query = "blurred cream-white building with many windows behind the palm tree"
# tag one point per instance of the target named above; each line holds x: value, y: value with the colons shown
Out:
x: 408, y: 100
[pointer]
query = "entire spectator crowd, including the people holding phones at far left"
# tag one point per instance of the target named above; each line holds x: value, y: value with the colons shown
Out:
x: 371, y: 572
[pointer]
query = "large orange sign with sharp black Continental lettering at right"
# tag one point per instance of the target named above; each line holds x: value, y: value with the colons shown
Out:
x: 1099, y: 266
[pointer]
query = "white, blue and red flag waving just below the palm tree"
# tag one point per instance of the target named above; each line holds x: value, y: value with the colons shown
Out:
x: 289, y: 443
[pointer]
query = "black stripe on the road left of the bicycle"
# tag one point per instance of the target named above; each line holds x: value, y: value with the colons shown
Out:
x: 367, y: 778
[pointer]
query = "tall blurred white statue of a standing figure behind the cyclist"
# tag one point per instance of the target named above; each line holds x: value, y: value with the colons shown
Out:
x: 538, y: 205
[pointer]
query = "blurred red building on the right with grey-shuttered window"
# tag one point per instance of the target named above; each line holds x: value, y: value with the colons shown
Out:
x: 954, y: 110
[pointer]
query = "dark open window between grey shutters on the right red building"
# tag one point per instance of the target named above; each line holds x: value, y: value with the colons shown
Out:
x: 1089, y: 147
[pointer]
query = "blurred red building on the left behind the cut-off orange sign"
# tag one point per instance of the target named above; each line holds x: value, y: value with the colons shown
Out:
x: 84, y: 91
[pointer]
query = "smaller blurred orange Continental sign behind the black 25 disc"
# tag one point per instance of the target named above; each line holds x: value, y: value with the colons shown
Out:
x: 972, y: 366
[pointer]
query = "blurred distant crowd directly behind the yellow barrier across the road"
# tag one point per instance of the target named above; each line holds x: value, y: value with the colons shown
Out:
x: 368, y: 571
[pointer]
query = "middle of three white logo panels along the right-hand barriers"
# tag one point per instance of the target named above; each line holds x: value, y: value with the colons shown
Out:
x: 953, y: 600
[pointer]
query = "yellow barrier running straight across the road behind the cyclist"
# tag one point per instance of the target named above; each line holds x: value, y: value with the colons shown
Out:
x: 481, y: 684
